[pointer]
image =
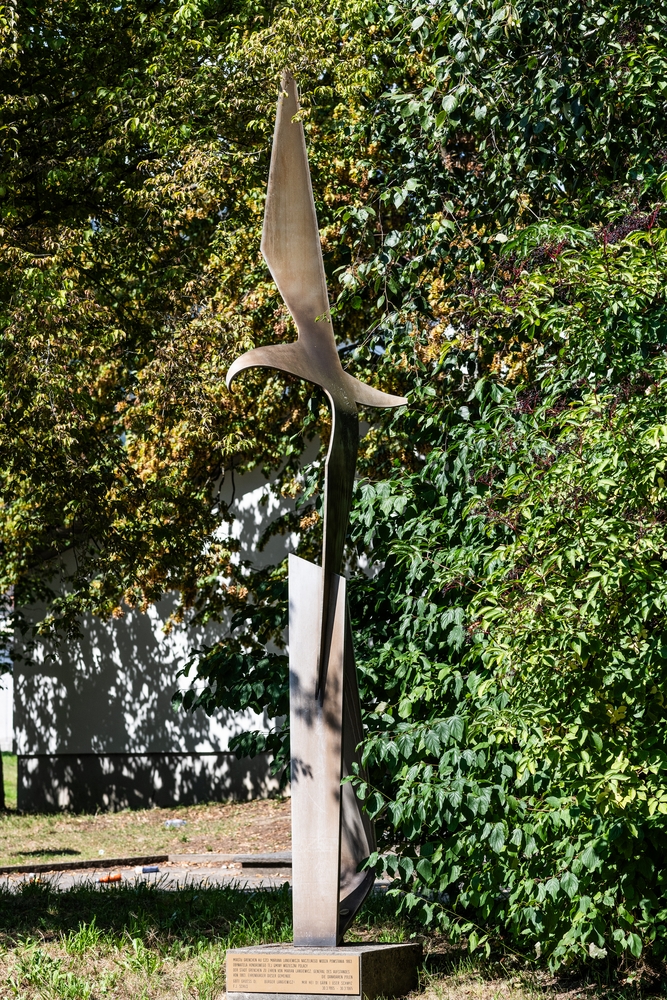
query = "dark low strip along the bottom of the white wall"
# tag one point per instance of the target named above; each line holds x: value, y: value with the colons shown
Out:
x: 90, y: 782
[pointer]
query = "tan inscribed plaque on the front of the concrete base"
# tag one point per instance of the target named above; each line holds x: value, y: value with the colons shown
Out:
x: 254, y: 972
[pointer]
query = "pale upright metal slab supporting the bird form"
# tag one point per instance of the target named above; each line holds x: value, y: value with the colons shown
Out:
x: 316, y: 751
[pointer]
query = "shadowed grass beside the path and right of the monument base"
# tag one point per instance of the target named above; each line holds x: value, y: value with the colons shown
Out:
x: 146, y: 921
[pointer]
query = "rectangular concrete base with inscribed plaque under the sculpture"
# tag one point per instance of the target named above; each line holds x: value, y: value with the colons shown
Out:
x: 352, y: 971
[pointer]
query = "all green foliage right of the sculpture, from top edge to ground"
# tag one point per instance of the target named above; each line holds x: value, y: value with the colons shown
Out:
x: 515, y: 631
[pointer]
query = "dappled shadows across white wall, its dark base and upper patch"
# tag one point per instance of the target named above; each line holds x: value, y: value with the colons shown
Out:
x: 93, y: 721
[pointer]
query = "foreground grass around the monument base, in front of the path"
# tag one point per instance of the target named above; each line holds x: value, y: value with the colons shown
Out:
x: 144, y: 943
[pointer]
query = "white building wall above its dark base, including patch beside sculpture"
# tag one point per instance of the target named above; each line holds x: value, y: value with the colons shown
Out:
x: 109, y: 693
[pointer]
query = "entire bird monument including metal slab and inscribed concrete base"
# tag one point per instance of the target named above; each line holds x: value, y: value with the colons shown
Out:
x: 331, y: 835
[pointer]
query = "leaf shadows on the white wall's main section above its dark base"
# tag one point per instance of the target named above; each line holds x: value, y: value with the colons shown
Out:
x: 110, y: 692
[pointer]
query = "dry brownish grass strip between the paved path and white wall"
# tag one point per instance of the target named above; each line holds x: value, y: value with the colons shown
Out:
x: 229, y: 827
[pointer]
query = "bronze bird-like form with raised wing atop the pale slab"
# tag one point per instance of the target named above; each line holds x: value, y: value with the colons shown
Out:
x: 292, y: 250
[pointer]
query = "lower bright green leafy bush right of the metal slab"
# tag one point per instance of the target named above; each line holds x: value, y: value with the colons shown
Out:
x: 520, y: 739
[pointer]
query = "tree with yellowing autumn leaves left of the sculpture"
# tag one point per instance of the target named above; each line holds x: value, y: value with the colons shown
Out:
x: 132, y: 188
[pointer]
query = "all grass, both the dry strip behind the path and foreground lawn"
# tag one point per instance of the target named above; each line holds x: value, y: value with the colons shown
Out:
x: 126, y: 942
